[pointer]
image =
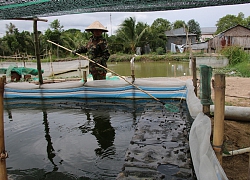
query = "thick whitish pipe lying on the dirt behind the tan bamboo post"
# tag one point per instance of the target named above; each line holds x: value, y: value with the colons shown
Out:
x: 235, y: 113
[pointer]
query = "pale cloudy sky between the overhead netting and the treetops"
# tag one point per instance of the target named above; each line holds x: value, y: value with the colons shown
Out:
x: 206, y: 17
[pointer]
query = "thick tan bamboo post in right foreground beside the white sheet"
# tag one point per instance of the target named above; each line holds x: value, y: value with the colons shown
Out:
x: 219, y: 113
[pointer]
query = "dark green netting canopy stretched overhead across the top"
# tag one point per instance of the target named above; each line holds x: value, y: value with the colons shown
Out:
x: 11, y: 9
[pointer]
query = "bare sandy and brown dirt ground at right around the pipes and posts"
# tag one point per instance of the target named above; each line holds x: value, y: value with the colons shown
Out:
x: 236, y: 133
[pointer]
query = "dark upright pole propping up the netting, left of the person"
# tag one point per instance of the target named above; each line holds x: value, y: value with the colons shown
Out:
x: 37, y: 52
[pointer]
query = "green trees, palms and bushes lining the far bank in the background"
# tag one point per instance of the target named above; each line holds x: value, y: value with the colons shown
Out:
x: 130, y: 35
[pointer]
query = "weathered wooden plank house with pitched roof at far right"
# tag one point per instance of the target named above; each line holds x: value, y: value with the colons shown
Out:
x: 234, y: 36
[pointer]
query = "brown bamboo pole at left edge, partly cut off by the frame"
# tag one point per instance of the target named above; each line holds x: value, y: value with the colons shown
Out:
x: 3, y: 171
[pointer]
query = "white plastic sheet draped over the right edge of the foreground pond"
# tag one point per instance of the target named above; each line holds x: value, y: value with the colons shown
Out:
x: 205, y: 162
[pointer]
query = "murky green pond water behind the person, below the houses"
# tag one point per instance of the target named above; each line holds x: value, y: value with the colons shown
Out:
x: 146, y: 69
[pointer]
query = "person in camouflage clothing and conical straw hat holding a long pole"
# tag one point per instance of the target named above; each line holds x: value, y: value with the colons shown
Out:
x: 96, y: 50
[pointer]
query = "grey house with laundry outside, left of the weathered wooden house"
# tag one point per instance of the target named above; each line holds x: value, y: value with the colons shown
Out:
x: 178, y: 37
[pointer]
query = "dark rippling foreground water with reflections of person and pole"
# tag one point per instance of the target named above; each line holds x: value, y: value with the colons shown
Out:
x: 68, y: 139
